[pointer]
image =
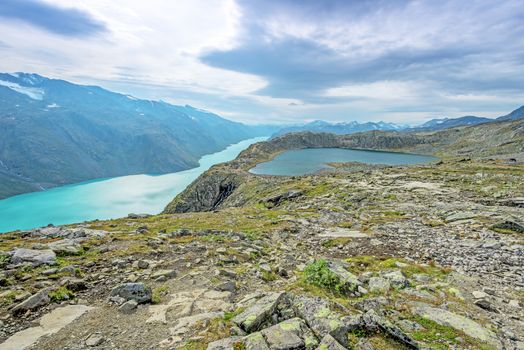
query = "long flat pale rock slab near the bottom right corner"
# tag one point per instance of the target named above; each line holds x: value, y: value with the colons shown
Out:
x: 461, y: 323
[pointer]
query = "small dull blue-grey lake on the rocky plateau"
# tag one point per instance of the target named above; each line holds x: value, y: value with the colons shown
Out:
x: 311, y: 160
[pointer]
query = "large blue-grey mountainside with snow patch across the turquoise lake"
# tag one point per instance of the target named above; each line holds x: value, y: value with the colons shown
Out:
x: 54, y: 132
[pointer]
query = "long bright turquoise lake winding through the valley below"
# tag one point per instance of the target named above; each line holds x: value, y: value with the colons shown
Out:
x: 105, y: 198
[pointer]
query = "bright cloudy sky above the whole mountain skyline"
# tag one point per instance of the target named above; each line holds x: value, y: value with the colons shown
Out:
x: 281, y: 61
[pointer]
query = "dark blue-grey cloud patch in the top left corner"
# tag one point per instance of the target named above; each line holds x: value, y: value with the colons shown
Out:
x: 57, y: 20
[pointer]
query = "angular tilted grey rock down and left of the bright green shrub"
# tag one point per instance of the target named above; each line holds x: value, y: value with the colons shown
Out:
x: 258, y: 313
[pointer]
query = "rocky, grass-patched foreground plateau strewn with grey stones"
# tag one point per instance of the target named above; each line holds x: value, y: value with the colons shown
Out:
x: 359, y: 257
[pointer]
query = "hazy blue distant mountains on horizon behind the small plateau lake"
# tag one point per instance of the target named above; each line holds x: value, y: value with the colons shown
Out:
x: 338, y: 128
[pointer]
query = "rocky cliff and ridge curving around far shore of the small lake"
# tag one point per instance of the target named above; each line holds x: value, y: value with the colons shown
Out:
x: 216, y: 187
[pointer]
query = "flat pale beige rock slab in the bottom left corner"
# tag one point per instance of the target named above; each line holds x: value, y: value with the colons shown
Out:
x: 49, y: 324
